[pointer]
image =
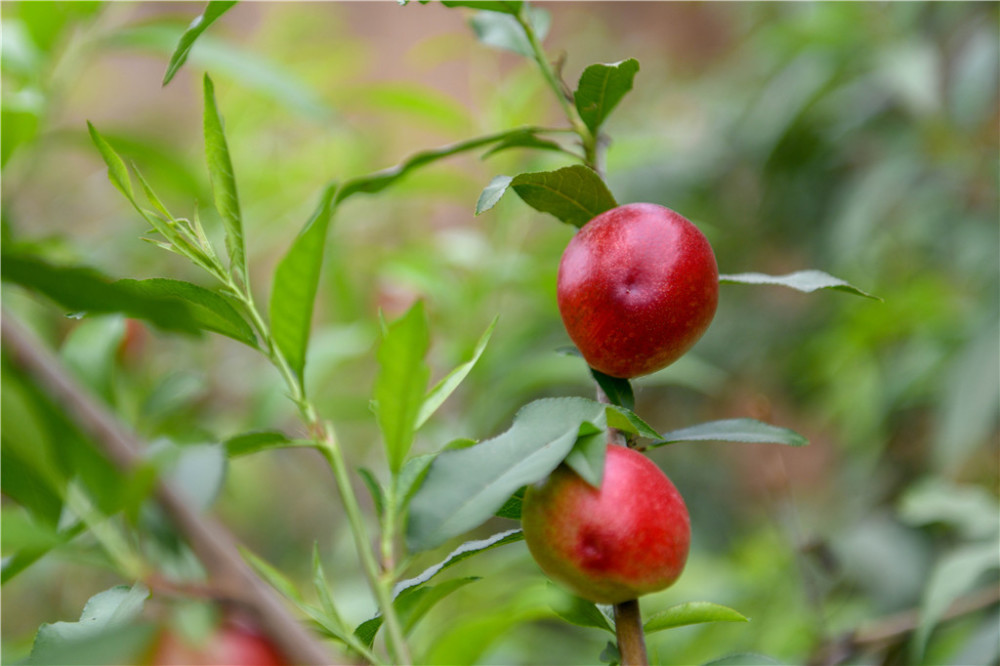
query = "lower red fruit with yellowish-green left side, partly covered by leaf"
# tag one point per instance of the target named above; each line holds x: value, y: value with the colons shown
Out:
x: 611, y: 545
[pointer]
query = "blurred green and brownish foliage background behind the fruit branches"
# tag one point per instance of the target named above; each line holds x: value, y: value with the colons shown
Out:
x: 856, y: 138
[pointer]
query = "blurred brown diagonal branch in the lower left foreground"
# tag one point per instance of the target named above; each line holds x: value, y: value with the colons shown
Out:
x: 212, y: 543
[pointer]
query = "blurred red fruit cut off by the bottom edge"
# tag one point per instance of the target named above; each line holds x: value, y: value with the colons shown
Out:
x: 234, y: 644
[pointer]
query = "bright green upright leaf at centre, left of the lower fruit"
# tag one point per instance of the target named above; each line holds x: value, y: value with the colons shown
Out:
x: 401, y: 382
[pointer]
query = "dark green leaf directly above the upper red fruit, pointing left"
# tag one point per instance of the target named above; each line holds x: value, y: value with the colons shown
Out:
x: 574, y: 194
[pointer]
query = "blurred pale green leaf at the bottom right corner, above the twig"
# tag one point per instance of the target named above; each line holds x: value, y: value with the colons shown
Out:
x: 952, y: 577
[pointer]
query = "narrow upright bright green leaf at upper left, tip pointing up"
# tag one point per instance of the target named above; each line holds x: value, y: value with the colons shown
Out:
x: 220, y: 171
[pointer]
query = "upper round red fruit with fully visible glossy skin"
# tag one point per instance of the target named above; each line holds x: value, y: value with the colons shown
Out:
x: 638, y: 285
